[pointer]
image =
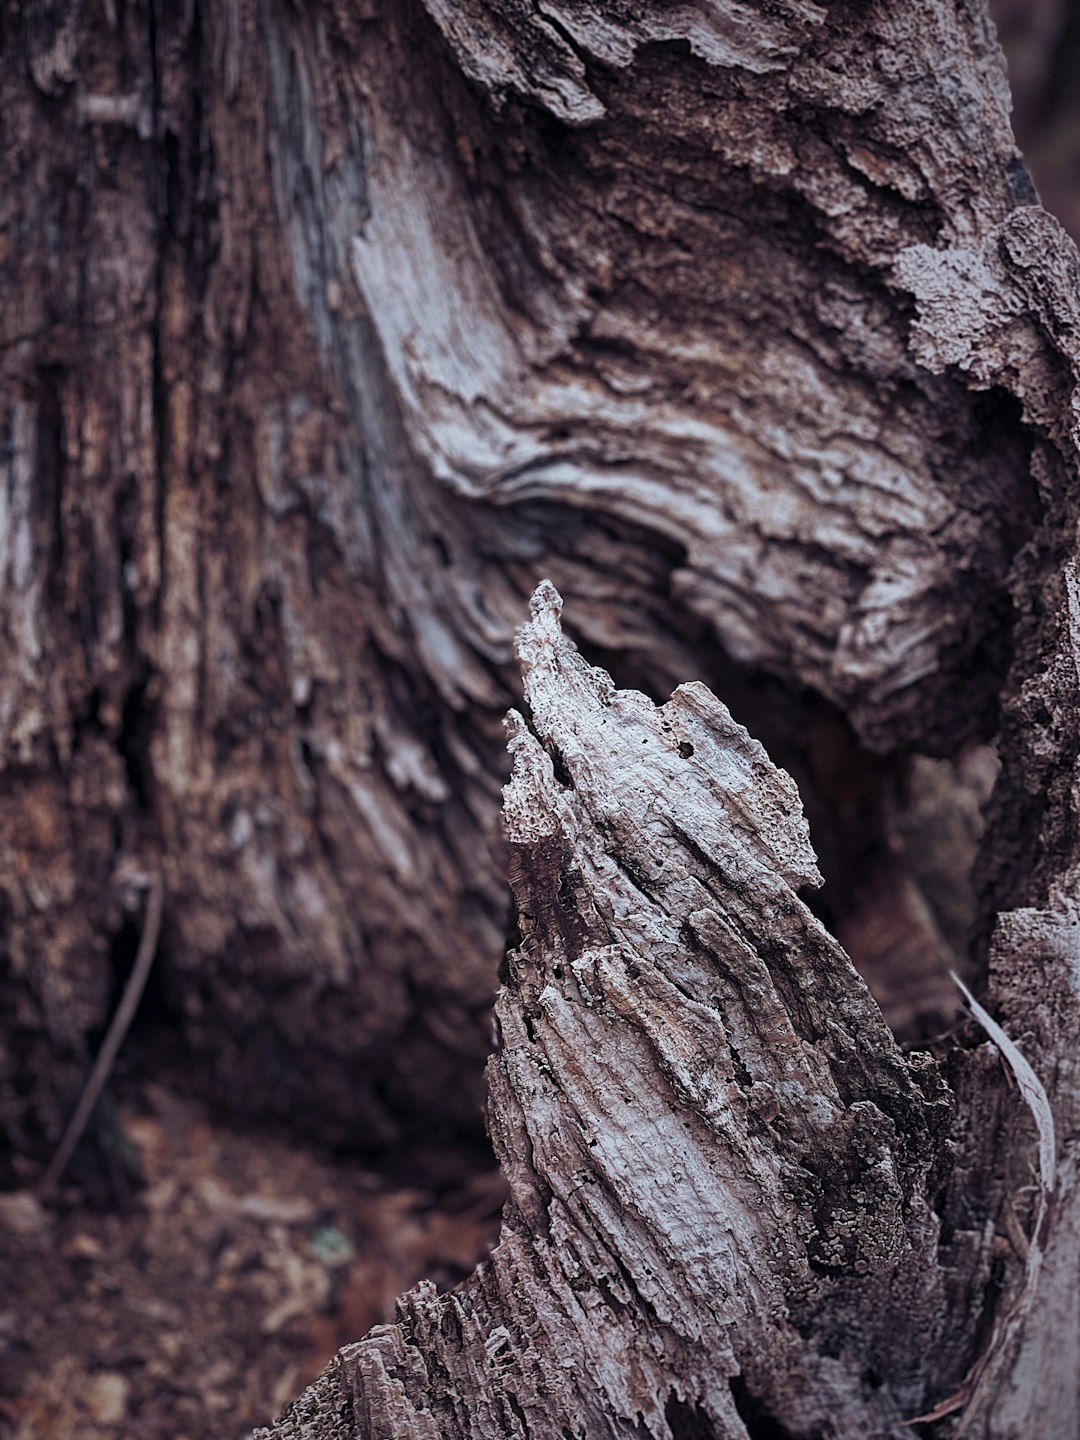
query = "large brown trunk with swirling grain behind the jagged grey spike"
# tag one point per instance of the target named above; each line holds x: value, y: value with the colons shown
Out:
x: 328, y: 332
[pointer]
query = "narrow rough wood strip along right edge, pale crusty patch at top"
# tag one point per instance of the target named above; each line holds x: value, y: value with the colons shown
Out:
x: 1012, y: 310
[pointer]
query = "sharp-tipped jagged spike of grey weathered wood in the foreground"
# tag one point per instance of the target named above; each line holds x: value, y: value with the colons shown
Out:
x: 718, y: 1158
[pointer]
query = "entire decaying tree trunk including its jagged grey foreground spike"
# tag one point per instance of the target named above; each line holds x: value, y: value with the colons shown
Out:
x: 329, y: 333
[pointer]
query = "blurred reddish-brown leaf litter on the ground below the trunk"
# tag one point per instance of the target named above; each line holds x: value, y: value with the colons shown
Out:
x: 225, y: 1287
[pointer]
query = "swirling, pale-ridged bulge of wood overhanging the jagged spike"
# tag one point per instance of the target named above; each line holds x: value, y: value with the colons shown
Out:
x: 588, y: 343
